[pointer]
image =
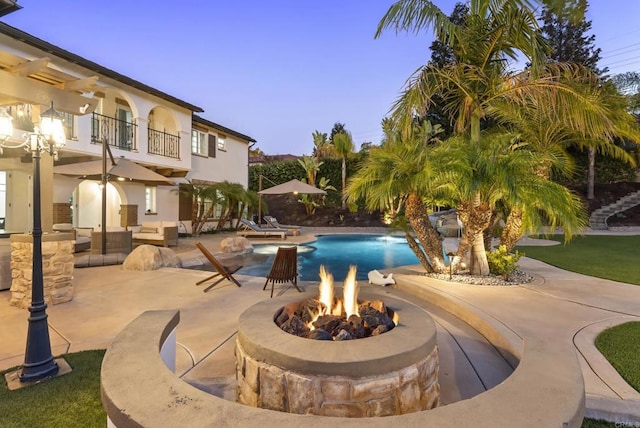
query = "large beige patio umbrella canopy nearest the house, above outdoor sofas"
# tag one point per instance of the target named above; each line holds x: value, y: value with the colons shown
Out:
x: 122, y: 168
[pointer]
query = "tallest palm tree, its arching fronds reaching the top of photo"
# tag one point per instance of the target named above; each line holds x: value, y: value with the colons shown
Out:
x: 479, y: 79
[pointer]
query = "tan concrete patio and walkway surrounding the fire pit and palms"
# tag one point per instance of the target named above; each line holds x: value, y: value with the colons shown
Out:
x: 558, y: 306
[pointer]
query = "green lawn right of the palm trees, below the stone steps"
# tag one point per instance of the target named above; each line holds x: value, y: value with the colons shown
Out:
x: 608, y: 257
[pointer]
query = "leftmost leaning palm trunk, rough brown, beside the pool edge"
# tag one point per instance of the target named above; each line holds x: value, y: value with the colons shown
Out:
x: 426, y: 234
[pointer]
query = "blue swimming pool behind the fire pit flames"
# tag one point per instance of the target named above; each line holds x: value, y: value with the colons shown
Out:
x: 337, y: 253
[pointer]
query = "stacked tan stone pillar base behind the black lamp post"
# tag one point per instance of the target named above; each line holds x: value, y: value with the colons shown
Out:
x: 57, y: 267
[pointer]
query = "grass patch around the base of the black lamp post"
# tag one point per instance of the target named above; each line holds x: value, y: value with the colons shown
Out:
x: 68, y: 401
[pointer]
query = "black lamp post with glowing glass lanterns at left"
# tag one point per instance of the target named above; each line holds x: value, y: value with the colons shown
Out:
x: 38, y: 360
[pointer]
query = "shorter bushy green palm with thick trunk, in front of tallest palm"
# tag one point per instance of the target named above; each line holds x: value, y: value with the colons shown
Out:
x: 500, y: 172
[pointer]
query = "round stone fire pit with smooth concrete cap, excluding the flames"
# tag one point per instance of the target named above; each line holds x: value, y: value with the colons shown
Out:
x: 390, y: 374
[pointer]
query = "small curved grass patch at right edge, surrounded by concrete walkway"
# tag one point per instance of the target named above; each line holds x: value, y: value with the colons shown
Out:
x: 621, y: 346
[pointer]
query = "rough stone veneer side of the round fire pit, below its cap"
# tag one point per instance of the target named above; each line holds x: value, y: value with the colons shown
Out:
x: 411, y: 389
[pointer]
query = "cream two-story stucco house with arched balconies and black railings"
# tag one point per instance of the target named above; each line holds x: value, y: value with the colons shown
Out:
x: 103, y: 108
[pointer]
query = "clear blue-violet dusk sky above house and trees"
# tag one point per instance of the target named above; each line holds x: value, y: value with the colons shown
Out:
x: 274, y: 70
